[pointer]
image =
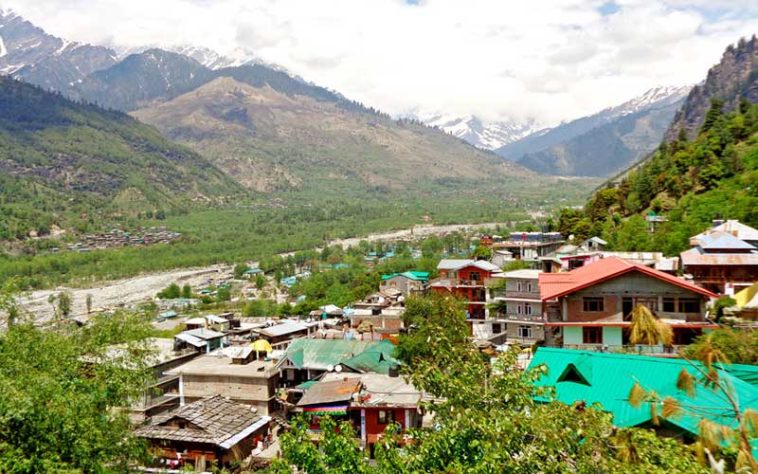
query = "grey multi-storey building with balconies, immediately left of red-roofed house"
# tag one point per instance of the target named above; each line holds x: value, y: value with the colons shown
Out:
x: 520, y: 306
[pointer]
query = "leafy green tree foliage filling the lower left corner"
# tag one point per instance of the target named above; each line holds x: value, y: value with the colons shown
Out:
x: 60, y: 397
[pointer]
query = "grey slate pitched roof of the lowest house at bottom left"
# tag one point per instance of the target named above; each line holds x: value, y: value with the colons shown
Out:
x: 213, y: 420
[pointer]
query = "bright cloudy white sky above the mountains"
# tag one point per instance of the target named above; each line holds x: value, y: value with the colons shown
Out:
x: 500, y: 59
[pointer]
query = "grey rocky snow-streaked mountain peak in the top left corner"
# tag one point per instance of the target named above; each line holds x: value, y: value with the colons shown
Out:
x: 30, y: 54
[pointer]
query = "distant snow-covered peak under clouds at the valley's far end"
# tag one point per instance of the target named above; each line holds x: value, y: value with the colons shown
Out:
x: 481, y: 134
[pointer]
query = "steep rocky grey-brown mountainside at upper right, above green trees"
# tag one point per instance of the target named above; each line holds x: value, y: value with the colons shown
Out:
x: 735, y: 77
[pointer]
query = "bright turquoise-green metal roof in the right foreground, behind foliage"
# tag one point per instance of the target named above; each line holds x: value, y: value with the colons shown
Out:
x: 607, y: 379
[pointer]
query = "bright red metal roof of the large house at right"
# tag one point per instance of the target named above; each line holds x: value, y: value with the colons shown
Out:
x: 555, y: 285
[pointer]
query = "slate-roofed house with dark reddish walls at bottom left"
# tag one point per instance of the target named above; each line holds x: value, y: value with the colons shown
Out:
x: 211, y: 430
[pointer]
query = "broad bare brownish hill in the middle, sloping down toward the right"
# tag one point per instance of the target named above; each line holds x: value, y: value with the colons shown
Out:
x: 269, y: 140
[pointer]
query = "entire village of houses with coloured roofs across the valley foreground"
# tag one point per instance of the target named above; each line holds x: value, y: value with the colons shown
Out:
x: 232, y: 372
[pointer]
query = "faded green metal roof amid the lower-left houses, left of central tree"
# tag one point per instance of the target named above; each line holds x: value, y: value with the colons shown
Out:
x: 319, y: 354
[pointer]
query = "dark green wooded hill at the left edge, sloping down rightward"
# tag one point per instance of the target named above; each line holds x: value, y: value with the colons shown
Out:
x: 57, y: 155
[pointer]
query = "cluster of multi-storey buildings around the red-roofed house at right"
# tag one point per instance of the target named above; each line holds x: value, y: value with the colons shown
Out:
x: 581, y: 296
